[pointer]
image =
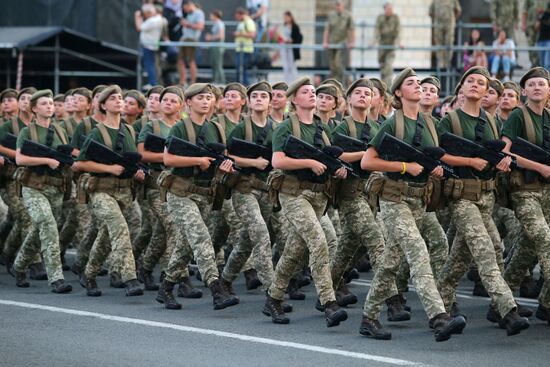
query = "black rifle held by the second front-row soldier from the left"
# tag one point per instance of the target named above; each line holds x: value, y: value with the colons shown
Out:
x: 100, y: 153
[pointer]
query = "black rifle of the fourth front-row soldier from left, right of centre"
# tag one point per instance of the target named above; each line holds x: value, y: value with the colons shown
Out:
x: 299, y: 149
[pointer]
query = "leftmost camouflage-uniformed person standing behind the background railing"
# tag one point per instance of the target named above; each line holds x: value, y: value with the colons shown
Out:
x: 339, y: 30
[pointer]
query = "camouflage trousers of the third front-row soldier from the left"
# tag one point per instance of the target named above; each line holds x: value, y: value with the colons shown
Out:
x: 190, y: 215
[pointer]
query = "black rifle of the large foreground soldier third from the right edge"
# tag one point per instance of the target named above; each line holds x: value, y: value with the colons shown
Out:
x: 429, y: 157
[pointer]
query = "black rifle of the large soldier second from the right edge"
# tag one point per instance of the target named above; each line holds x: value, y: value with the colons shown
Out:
x: 491, y: 151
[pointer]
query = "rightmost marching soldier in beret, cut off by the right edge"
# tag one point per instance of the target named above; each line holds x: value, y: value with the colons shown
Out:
x: 529, y: 195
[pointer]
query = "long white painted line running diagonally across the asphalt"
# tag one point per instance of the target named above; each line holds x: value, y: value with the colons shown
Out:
x: 222, y: 334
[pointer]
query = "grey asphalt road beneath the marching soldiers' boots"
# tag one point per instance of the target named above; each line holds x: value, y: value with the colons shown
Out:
x: 39, y: 328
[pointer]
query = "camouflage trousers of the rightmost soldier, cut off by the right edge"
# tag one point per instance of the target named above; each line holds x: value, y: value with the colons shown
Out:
x: 533, y: 211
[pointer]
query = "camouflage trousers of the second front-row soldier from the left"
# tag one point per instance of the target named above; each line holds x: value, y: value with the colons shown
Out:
x: 113, y: 234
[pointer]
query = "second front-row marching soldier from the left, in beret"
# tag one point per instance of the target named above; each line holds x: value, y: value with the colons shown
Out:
x: 110, y: 191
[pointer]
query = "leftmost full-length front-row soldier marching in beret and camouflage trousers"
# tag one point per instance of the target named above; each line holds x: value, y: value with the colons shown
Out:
x: 43, y: 183
